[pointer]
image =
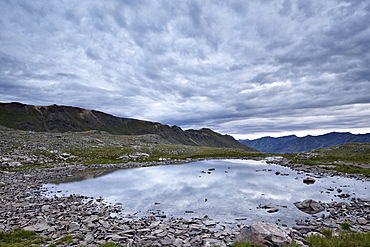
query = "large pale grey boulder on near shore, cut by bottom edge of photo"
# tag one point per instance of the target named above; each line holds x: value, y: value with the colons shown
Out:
x: 265, y: 233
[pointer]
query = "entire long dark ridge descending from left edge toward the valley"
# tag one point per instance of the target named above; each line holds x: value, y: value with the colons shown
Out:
x: 55, y: 118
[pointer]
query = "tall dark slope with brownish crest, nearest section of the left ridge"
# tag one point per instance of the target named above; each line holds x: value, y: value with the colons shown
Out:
x: 62, y: 119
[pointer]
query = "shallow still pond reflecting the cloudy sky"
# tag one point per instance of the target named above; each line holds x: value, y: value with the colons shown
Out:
x: 228, y: 191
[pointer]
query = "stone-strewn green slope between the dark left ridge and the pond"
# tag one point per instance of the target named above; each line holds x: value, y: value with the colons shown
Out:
x: 26, y: 149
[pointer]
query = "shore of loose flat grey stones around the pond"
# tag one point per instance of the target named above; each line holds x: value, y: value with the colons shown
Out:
x: 92, y: 221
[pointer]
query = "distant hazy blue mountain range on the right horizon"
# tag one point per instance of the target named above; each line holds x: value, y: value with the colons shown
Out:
x: 294, y: 144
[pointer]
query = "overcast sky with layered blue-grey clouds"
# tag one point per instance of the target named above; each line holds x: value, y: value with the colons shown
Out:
x: 245, y: 68
